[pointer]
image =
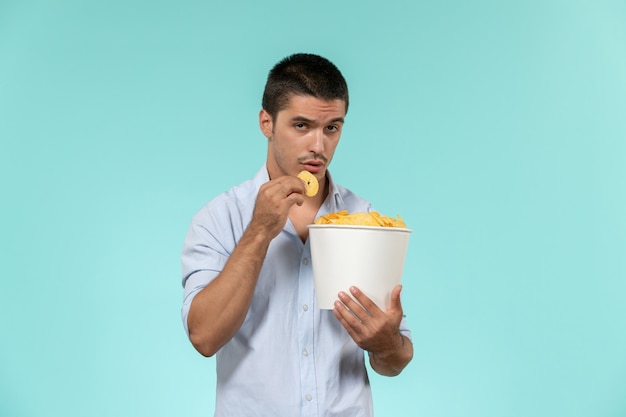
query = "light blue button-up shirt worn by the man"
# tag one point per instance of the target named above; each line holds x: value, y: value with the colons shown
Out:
x: 288, y: 358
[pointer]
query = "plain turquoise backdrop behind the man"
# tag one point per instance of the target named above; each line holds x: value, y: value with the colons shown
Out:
x: 495, y: 128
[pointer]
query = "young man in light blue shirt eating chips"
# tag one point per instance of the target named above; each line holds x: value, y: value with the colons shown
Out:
x: 249, y: 295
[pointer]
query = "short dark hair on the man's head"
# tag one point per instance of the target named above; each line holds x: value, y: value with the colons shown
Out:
x: 305, y: 75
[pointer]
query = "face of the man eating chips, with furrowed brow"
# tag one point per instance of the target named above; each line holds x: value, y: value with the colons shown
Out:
x: 303, y: 136
